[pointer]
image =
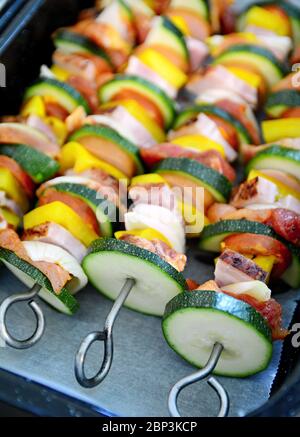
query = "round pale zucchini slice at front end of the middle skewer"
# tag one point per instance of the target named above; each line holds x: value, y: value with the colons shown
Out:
x: 110, y: 262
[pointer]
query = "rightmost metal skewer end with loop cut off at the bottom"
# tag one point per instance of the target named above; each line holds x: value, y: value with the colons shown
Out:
x: 199, y: 376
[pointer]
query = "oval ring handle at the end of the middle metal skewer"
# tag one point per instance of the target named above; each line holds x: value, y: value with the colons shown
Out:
x: 82, y: 354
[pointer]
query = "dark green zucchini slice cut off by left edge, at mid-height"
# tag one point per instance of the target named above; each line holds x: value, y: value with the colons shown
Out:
x: 39, y: 166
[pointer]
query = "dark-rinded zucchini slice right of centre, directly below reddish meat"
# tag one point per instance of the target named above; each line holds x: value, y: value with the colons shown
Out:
x: 217, y: 184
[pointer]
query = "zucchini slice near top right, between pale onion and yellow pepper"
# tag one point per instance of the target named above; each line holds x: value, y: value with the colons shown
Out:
x: 268, y: 65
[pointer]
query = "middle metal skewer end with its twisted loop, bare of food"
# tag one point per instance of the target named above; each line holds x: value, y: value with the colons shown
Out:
x: 107, y: 337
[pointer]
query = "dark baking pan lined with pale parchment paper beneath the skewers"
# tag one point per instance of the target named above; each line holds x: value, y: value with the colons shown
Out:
x: 25, y: 44
